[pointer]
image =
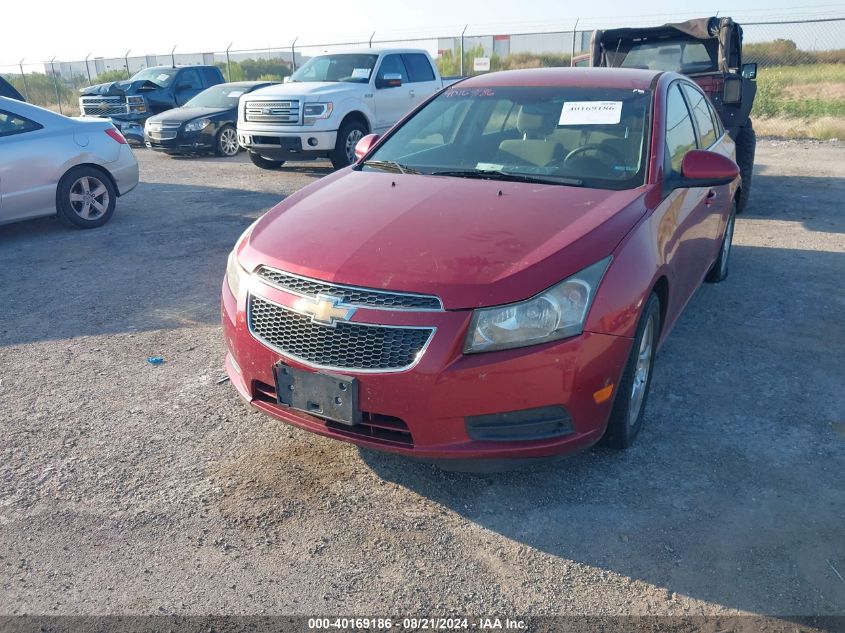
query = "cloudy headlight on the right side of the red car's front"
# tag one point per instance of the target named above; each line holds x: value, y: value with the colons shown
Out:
x: 556, y: 313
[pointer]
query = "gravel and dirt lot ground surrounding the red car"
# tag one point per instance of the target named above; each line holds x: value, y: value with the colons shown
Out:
x: 132, y: 489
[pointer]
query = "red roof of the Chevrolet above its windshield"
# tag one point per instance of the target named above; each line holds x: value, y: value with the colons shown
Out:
x: 626, y: 78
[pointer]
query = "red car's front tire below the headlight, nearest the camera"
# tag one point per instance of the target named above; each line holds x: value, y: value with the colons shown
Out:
x: 626, y: 417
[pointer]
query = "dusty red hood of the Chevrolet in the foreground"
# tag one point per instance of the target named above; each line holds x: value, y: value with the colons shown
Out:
x: 471, y: 242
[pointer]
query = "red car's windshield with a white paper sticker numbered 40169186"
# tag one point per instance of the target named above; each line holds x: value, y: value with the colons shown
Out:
x: 595, y: 137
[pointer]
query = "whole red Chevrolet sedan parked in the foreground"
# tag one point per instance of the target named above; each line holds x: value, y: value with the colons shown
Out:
x: 494, y: 275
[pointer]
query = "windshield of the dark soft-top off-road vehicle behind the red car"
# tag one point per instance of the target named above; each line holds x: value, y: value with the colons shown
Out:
x: 677, y: 55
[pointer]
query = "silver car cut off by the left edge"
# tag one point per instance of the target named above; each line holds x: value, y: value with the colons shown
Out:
x: 51, y: 164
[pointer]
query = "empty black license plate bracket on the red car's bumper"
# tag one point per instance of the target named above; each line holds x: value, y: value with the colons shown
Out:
x: 324, y: 395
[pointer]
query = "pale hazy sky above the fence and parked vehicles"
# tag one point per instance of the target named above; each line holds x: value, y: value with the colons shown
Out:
x: 71, y: 30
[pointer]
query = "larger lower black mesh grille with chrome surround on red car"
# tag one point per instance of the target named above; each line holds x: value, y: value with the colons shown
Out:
x: 353, y: 346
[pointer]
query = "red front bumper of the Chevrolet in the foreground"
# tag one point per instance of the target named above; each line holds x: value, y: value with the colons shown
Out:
x: 423, y: 411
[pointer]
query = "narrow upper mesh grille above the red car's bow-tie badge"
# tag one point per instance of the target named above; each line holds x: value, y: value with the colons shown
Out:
x: 349, y: 294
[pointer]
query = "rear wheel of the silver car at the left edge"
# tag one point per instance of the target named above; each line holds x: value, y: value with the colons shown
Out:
x: 85, y: 197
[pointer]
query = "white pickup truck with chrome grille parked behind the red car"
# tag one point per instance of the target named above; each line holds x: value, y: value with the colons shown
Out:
x: 333, y: 100
